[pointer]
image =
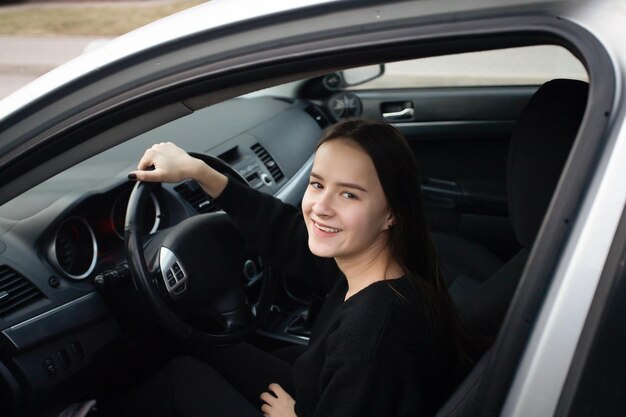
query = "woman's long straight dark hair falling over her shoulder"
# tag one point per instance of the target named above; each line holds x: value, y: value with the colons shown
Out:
x: 409, y: 240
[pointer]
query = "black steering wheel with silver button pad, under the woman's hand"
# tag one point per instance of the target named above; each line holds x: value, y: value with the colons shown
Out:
x: 191, y: 273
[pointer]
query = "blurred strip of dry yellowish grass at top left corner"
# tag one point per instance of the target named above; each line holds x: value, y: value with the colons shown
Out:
x: 85, y: 20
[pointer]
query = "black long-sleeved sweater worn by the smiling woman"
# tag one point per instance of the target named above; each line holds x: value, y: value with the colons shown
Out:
x: 368, y: 356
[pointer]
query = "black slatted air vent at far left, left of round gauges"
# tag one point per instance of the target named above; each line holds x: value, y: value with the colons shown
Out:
x: 16, y: 291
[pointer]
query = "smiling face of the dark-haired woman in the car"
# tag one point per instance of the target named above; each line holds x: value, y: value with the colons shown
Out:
x: 344, y: 206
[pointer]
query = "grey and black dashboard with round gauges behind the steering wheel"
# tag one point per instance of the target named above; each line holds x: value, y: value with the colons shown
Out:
x: 59, y: 239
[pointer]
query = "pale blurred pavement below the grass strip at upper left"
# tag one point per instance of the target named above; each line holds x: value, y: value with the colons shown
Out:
x: 22, y: 59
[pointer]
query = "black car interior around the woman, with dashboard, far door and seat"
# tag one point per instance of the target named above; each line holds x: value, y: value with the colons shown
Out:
x: 90, y: 330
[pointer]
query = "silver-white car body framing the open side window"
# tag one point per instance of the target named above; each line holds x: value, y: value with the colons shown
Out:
x: 596, y: 28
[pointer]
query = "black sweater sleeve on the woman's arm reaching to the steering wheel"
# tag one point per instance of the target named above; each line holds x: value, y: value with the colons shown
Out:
x: 278, y: 232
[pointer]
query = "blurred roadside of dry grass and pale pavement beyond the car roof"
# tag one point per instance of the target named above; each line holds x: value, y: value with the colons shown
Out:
x: 36, y: 36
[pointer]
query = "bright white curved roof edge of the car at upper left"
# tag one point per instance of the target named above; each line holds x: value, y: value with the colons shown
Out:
x: 206, y: 16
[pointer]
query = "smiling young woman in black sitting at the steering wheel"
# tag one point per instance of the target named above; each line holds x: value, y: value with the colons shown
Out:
x: 386, y: 342
